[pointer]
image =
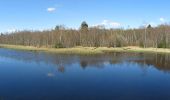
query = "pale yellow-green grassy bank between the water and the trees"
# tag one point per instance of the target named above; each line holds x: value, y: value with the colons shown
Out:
x: 87, y: 50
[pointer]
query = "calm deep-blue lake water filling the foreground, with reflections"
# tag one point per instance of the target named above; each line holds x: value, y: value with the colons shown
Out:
x: 116, y: 76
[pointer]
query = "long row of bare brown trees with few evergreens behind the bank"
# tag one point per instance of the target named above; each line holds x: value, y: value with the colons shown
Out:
x: 157, y: 37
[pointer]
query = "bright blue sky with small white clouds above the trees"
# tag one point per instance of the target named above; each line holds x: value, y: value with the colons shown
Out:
x: 46, y: 14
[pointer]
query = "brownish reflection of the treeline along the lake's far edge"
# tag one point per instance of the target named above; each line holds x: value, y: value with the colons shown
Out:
x: 159, y: 61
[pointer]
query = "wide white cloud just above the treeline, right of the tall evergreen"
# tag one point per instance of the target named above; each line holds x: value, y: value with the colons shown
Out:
x: 109, y: 24
